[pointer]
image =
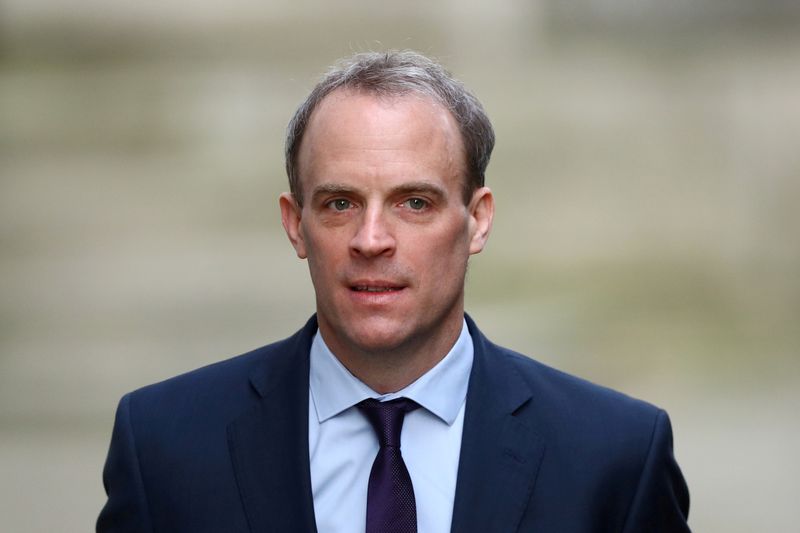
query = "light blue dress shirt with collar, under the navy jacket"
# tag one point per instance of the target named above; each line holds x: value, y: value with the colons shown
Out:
x: 343, y: 445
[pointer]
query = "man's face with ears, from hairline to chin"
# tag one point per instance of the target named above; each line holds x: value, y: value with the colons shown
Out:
x: 383, y: 222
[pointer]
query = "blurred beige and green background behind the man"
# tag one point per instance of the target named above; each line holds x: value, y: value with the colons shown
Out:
x: 647, y: 176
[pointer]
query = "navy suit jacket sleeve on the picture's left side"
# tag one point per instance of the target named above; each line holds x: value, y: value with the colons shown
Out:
x: 126, y: 509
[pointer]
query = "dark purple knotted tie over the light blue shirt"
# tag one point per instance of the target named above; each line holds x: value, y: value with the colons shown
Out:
x: 391, y: 507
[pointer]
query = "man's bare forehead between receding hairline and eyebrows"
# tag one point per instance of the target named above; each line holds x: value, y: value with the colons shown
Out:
x: 356, y: 126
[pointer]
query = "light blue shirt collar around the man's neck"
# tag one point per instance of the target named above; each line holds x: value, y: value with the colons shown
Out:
x: 441, y: 390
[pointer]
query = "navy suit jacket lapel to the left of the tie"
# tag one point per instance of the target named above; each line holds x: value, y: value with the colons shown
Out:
x: 269, y: 442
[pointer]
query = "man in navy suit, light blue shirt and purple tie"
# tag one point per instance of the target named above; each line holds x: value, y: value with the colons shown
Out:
x: 389, y: 411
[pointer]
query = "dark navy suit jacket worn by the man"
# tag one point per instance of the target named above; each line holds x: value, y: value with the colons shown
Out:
x: 225, y: 449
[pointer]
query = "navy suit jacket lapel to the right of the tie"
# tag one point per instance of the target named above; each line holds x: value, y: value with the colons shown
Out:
x: 500, y: 452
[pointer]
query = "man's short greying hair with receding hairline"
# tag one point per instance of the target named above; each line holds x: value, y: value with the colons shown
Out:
x: 398, y: 73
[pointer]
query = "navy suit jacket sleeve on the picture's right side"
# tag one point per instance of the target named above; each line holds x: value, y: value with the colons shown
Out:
x: 661, y: 502
